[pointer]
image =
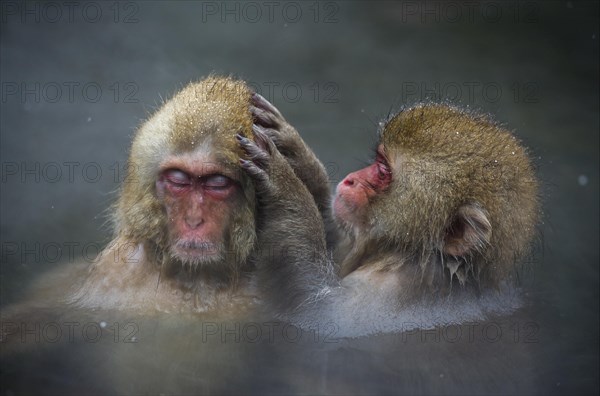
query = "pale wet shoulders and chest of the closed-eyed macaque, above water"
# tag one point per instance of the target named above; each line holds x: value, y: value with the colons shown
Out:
x: 130, y: 281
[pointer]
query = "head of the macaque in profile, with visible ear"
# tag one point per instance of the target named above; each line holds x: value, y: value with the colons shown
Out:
x: 447, y: 184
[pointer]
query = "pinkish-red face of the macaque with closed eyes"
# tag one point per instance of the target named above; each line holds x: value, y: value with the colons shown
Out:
x: 199, y: 199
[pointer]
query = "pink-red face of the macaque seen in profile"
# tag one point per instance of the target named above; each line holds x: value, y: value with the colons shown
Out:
x: 354, y: 193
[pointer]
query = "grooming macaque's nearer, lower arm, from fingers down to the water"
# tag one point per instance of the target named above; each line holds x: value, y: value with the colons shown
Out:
x: 294, y: 267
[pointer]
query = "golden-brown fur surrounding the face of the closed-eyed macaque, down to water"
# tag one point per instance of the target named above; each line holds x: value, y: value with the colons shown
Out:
x: 210, y: 112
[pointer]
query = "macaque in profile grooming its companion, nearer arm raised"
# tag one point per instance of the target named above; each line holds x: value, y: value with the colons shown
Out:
x: 435, y: 226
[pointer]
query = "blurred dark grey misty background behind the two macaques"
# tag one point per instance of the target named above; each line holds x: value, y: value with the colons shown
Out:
x: 78, y: 78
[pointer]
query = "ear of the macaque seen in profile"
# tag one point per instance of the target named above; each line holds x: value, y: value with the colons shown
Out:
x: 469, y: 231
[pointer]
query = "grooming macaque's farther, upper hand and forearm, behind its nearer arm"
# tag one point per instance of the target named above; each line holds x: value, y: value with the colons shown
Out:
x: 307, y: 167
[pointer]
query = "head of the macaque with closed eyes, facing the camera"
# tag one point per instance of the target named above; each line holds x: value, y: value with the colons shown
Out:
x: 185, y: 197
